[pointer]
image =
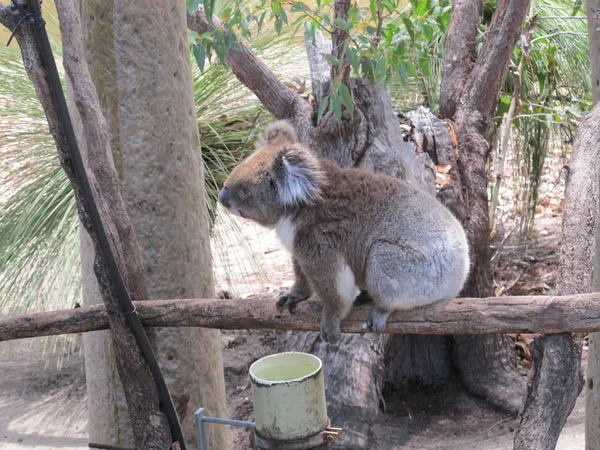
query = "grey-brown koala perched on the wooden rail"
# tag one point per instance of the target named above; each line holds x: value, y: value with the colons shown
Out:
x: 350, y: 232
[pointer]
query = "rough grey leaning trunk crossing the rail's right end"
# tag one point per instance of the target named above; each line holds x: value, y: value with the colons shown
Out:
x: 556, y: 380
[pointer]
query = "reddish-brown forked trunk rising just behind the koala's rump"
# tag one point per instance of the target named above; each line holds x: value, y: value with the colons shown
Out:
x: 486, y: 364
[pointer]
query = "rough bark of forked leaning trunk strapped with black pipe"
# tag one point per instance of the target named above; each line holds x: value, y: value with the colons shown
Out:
x: 140, y: 390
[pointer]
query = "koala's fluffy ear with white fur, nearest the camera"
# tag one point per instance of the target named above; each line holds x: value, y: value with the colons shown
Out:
x: 298, y: 176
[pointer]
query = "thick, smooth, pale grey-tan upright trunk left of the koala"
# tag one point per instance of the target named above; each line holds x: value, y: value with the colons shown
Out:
x: 139, y: 61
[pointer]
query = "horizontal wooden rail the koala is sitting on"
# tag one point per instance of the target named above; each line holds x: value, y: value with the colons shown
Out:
x: 527, y: 314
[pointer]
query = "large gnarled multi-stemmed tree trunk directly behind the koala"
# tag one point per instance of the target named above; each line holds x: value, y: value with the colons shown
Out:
x: 372, y: 140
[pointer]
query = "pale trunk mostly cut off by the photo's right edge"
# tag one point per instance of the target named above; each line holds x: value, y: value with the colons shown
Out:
x: 592, y: 398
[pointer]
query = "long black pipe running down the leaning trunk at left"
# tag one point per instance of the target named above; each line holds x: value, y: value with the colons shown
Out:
x: 58, y: 97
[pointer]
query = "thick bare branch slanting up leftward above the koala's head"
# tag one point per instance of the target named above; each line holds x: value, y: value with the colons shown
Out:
x: 280, y: 100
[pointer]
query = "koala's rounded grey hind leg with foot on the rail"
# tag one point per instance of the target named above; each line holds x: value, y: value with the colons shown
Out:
x: 398, y: 276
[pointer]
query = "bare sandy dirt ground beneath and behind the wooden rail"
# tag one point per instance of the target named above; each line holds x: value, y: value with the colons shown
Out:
x: 42, y: 383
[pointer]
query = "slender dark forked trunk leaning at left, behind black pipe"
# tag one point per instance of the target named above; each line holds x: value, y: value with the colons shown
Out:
x: 99, y: 181
